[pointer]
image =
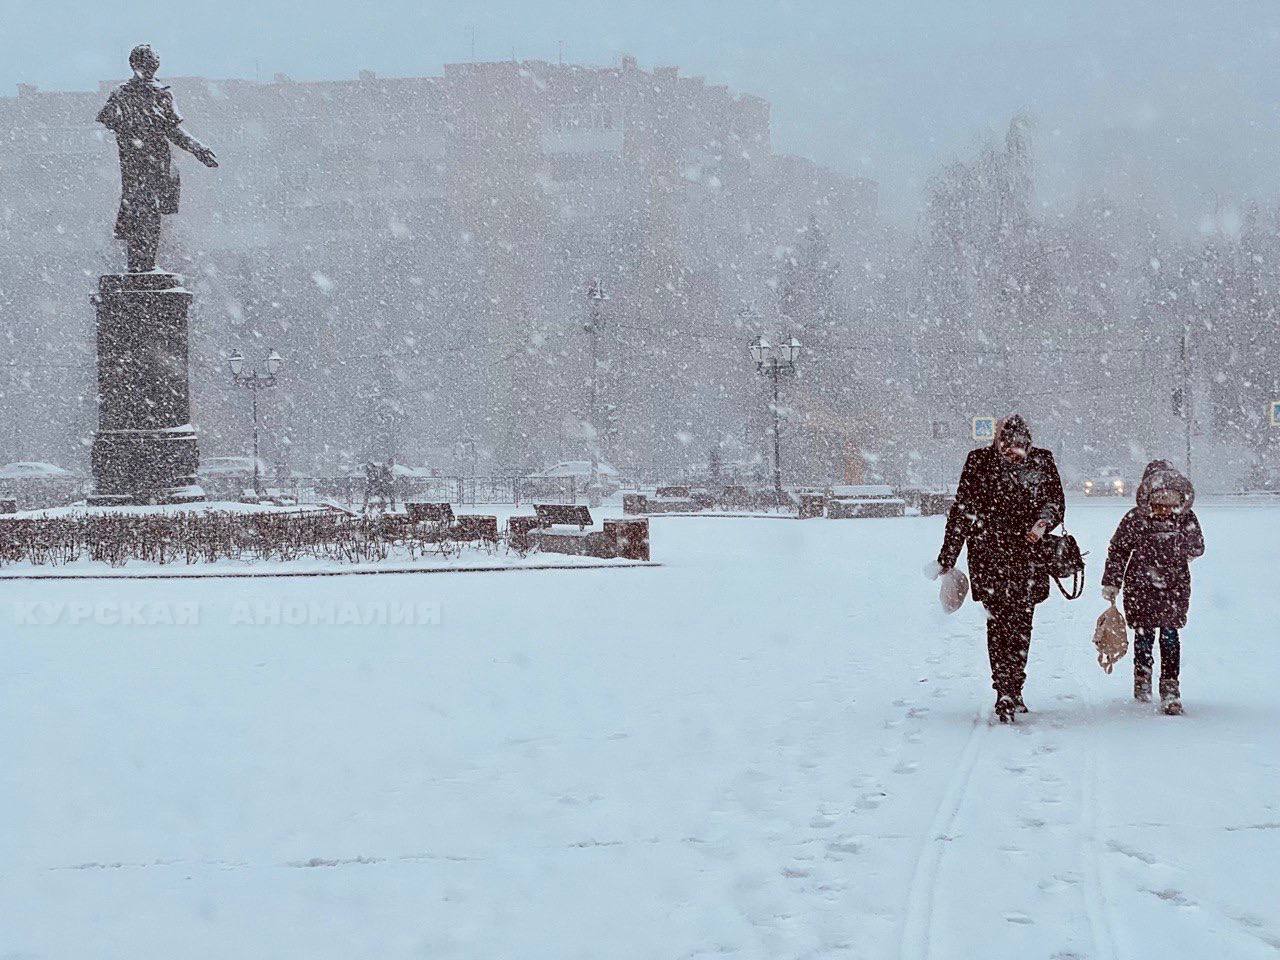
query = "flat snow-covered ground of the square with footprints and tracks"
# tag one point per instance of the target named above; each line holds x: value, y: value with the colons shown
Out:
x: 775, y: 746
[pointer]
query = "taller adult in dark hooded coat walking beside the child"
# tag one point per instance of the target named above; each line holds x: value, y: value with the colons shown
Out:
x: 1009, y: 497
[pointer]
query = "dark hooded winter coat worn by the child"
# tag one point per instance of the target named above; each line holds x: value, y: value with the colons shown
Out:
x: 1151, y: 559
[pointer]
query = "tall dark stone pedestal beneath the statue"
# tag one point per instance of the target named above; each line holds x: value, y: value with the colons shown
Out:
x: 145, y: 449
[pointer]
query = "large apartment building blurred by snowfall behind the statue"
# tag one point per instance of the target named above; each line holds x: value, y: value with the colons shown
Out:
x: 424, y: 246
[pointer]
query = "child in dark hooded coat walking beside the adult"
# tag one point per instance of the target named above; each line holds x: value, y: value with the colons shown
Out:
x: 1150, y: 560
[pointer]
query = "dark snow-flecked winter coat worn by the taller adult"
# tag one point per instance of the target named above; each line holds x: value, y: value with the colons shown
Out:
x: 996, y: 505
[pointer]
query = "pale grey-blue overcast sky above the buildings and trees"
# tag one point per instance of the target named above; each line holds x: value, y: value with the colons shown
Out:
x: 883, y: 89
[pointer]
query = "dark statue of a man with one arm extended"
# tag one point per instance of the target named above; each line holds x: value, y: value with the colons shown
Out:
x: 141, y: 115
